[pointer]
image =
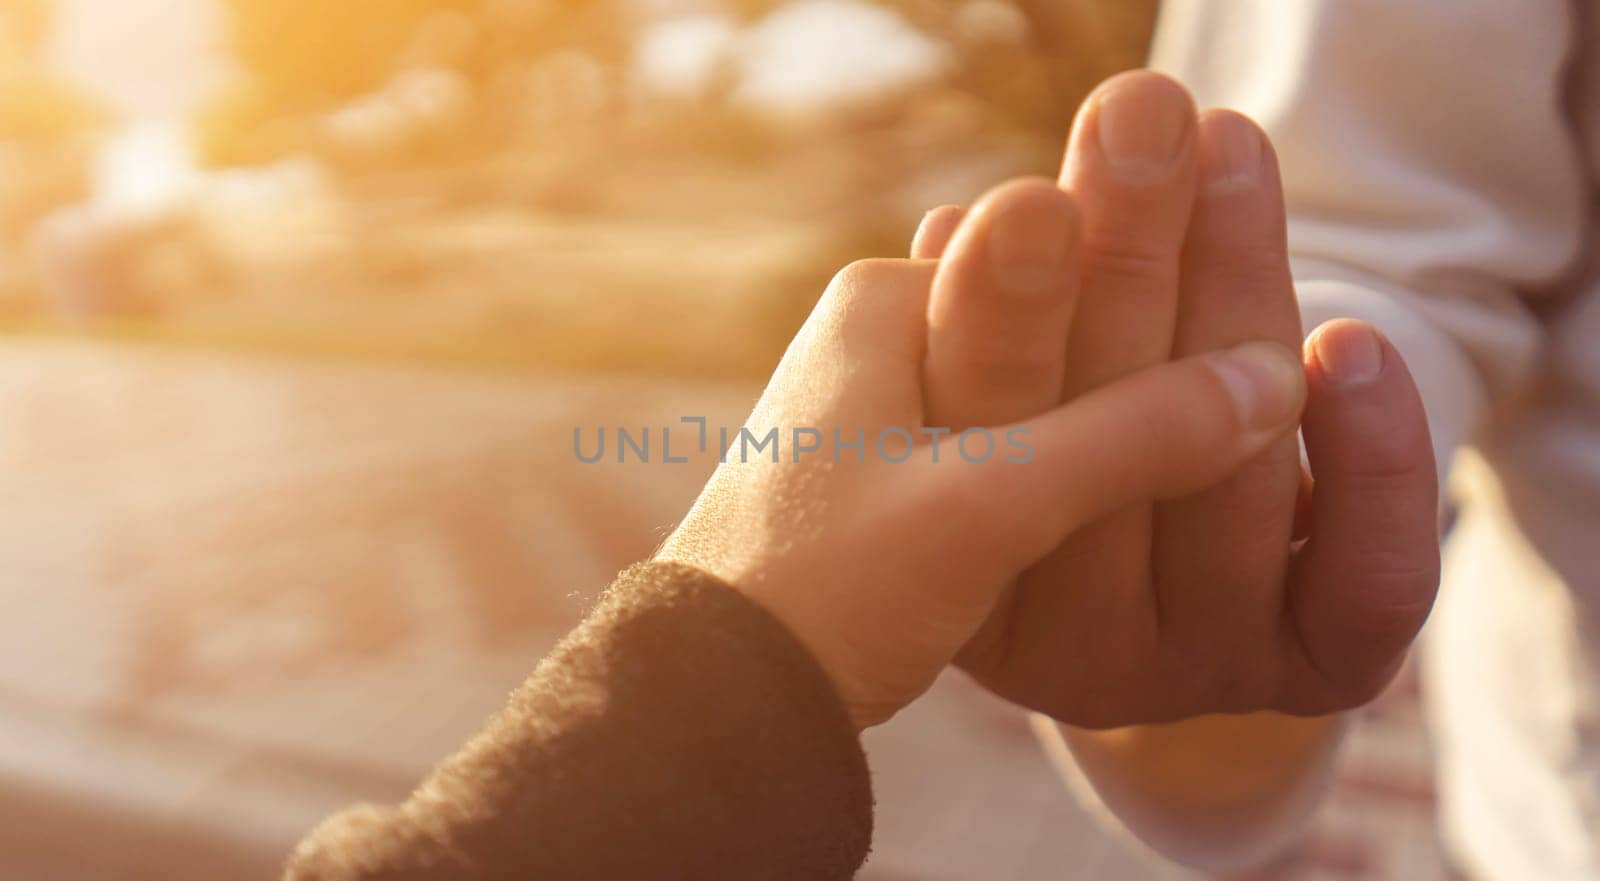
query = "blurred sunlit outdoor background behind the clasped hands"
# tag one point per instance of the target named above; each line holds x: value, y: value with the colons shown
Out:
x: 300, y: 305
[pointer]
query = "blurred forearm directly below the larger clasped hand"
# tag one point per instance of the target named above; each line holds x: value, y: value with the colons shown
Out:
x: 1212, y: 792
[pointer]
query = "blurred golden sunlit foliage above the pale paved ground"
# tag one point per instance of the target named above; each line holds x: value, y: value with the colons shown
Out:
x: 492, y: 180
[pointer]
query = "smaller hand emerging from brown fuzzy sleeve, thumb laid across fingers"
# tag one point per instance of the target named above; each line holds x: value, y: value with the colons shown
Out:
x: 886, y: 543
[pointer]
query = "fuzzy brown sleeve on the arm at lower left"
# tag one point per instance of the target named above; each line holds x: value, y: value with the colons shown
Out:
x: 678, y: 733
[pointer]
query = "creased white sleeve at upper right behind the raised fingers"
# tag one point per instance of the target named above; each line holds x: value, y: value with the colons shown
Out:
x: 1430, y: 164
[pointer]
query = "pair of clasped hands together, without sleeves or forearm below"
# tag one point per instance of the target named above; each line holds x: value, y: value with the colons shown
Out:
x: 1162, y: 552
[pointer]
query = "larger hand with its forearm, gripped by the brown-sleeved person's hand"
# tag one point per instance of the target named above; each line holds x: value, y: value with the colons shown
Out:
x: 1196, y: 605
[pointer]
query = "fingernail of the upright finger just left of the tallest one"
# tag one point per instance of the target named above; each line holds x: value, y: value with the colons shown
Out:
x: 1028, y: 244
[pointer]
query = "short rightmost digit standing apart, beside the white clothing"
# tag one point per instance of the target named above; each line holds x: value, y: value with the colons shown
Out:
x: 1366, y: 581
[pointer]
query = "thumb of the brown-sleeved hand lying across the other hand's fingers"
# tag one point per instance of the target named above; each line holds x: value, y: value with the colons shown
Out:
x: 1159, y: 434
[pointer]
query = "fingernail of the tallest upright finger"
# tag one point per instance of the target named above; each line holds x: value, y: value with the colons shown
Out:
x: 1142, y: 130
